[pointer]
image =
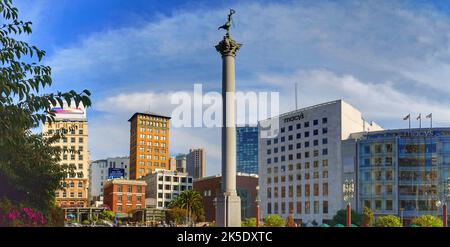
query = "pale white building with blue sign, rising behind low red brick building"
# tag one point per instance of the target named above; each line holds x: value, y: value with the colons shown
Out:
x: 99, y: 172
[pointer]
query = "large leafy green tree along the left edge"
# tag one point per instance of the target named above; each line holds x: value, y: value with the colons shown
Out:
x: 29, y: 165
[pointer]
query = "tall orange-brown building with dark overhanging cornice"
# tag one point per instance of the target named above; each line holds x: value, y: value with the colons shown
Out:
x: 149, y: 143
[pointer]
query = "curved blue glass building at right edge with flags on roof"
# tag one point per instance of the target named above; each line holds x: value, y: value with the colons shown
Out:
x: 404, y: 171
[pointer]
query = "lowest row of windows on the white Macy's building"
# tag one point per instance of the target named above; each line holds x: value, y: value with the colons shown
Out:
x: 289, y: 208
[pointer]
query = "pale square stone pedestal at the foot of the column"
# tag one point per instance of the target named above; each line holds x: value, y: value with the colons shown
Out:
x: 228, y: 213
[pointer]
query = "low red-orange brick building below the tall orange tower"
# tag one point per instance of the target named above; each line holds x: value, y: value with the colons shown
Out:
x: 124, y: 196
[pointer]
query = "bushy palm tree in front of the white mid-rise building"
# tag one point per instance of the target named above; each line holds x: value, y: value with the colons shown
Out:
x: 189, y: 200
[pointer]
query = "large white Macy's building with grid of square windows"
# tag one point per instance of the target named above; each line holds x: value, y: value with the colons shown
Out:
x: 301, y: 160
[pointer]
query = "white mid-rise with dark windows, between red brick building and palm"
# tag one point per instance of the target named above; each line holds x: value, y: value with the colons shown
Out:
x: 164, y: 185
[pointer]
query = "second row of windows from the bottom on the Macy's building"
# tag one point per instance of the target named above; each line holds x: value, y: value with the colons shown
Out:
x: 288, y: 191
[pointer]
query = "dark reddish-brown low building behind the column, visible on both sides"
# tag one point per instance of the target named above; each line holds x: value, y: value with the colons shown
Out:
x: 209, y: 189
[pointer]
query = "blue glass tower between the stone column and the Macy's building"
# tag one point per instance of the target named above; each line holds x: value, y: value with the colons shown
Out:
x: 247, y: 149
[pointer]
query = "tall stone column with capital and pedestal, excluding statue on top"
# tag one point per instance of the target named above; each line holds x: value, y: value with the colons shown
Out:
x: 228, y: 211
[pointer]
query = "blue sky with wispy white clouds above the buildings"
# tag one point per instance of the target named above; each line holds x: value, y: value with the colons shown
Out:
x: 387, y: 58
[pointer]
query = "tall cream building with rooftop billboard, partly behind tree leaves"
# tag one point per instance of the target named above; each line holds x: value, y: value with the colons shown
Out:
x: 73, y: 123
